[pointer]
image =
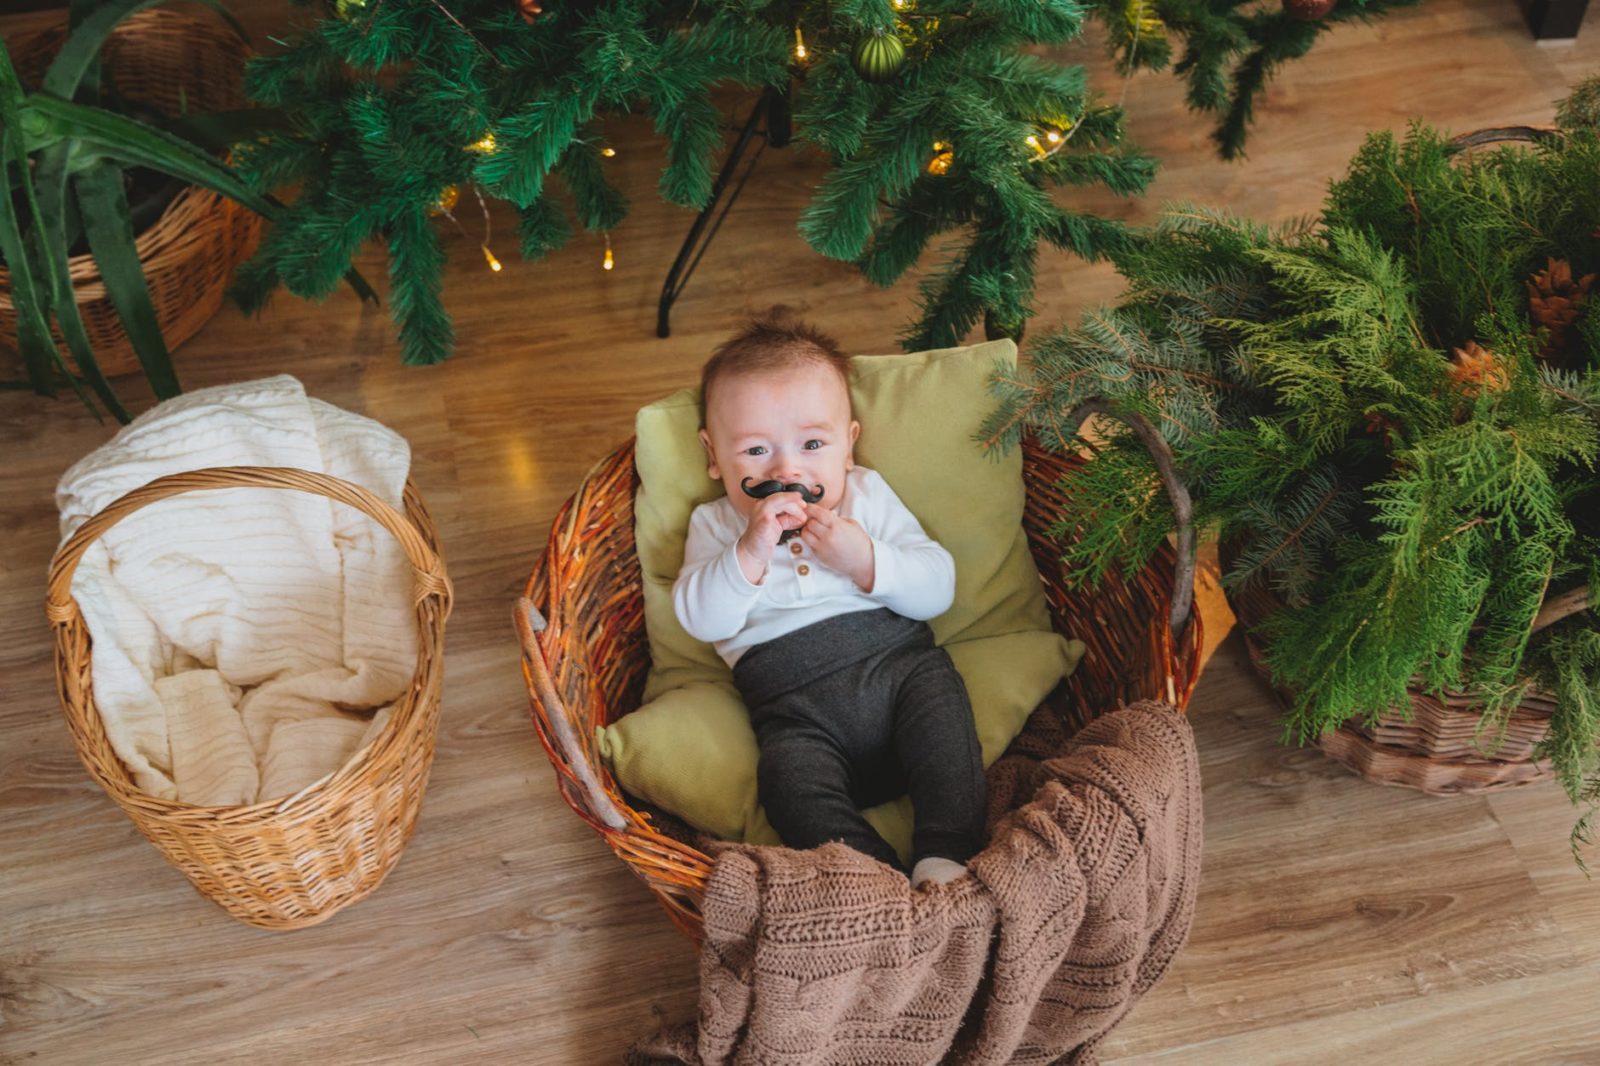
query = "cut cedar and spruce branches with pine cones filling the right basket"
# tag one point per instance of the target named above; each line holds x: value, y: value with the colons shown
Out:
x: 1412, y: 519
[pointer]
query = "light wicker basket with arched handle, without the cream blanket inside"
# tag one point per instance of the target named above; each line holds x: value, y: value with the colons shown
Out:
x: 292, y: 862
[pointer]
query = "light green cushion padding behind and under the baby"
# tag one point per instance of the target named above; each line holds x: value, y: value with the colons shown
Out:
x: 690, y: 750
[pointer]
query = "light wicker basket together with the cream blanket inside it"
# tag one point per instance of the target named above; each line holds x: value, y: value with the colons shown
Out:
x: 249, y: 665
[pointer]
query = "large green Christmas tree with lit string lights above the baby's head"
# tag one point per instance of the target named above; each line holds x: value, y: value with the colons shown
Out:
x: 934, y: 116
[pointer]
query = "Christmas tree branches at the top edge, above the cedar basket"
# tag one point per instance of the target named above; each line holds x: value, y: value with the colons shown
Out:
x: 1230, y: 49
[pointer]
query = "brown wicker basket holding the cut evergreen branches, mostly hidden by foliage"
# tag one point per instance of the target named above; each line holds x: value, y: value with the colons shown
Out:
x: 1444, y: 748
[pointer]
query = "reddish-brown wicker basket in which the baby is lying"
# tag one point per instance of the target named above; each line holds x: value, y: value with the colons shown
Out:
x: 586, y: 668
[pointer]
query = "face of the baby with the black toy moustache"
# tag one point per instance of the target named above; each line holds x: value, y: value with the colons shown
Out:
x: 793, y: 427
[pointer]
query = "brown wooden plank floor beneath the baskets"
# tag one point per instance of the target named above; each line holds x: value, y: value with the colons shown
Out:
x: 1338, y: 921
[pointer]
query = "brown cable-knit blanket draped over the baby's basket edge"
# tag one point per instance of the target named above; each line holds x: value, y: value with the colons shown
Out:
x: 1074, y: 910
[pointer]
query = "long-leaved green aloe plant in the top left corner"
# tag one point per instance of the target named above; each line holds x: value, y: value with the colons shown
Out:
x: 65, y: 164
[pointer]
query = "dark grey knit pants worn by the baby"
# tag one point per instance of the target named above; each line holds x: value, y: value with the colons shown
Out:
x: 854, y: 711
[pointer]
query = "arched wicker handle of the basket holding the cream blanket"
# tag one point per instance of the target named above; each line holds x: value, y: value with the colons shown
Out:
x: 426, y: 566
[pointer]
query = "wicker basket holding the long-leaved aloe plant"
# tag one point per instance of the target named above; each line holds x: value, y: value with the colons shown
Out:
x: 167, y: 62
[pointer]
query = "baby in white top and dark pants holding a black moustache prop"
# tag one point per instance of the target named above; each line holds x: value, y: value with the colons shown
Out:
x: 826, y: 635
